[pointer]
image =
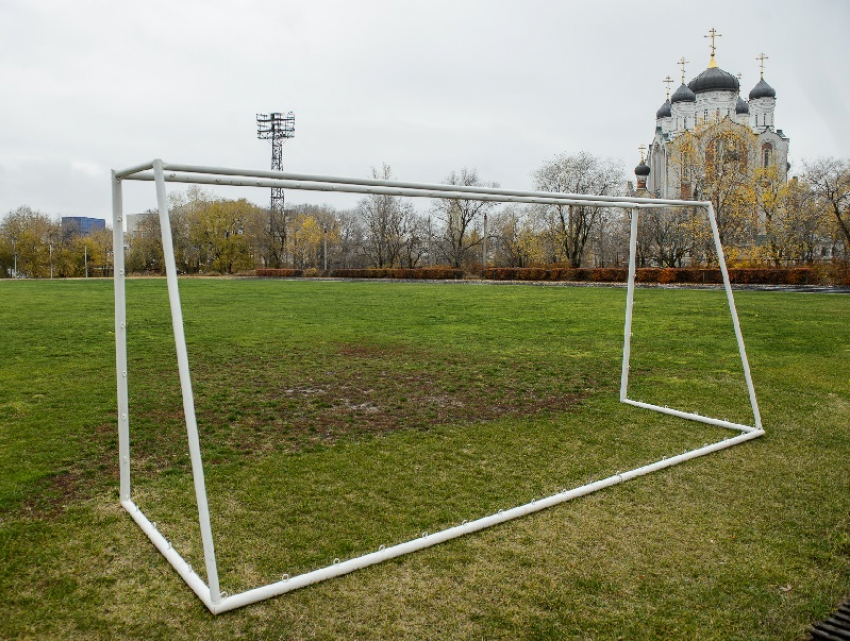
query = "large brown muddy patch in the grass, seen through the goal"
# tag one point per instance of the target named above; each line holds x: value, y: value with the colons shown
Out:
x: 251, y: 405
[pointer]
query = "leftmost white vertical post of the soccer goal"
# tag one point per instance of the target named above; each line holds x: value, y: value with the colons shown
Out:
x: 118, y: 278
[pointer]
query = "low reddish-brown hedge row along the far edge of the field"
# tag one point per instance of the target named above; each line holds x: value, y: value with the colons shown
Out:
x: 792, y: 276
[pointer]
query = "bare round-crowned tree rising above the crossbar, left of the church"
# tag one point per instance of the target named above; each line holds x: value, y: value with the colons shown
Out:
x: 582, y: 173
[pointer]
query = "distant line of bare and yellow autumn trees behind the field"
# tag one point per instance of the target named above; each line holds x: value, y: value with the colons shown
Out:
x: 763, y: 222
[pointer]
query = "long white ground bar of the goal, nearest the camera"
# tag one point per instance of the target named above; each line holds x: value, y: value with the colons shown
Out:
x: 338, y: 569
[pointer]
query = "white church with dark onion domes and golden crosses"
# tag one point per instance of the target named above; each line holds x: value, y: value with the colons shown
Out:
x: 714, y: 96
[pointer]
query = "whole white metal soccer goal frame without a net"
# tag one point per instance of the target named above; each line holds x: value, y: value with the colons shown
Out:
x: 161, y: 173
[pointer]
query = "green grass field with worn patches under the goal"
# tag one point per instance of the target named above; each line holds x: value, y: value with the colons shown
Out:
x: 337, y: 417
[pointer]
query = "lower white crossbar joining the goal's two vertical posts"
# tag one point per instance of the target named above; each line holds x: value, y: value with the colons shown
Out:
x: 447, y: 191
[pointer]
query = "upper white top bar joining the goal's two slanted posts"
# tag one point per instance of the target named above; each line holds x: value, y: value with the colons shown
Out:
x: 341, y: 180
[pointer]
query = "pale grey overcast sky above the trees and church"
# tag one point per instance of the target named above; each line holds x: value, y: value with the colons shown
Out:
x: 425, y: 86
